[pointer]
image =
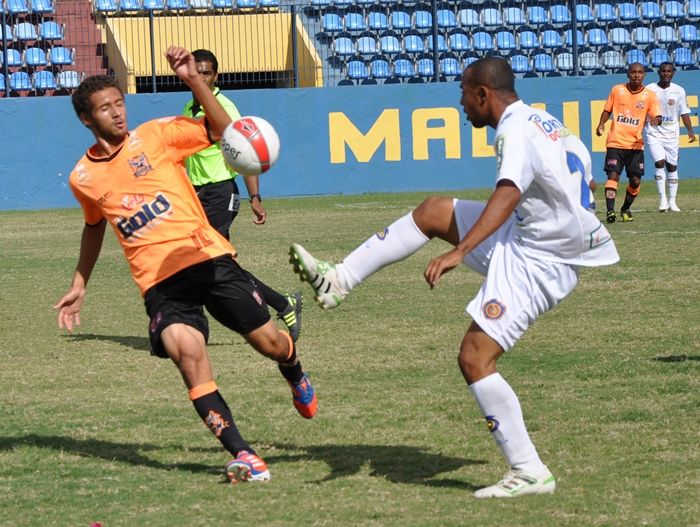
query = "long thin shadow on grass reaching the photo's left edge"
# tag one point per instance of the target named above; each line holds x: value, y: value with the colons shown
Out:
x: 121, y: 452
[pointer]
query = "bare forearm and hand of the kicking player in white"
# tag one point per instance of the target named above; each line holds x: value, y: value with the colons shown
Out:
x: 499, y: 208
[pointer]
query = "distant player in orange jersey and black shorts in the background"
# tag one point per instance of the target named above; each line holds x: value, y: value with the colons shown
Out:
x: 630, y: 105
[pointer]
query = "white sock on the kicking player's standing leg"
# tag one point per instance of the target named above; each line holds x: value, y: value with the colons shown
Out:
x: 504, y: 417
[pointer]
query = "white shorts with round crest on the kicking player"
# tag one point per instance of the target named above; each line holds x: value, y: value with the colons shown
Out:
x: 518, y: 288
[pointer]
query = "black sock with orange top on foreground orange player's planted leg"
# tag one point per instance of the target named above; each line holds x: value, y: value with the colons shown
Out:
x: 215, y: 413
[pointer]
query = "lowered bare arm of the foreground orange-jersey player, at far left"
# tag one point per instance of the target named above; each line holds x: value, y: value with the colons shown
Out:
x: 70, y: 303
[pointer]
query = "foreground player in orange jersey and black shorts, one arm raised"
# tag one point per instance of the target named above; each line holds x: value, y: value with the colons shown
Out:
x: 136, y: 182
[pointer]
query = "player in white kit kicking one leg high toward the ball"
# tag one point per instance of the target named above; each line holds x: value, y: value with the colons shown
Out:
x: 528, y: 240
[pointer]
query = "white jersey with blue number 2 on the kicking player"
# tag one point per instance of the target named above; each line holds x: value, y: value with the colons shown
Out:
x: 551, y: 168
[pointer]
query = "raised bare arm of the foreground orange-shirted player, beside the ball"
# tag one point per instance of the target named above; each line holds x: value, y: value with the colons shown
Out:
x: 183, y: 64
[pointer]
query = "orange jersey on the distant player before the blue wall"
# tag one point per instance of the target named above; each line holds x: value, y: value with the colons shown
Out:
x: 629, y: 115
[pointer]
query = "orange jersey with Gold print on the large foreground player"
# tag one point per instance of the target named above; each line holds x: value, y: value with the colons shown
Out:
x: 142, y: 190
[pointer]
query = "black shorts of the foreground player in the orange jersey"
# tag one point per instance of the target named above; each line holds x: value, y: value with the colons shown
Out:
x: 220, y: 285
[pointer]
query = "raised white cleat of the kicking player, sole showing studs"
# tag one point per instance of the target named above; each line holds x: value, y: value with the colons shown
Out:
x: 322, y: 276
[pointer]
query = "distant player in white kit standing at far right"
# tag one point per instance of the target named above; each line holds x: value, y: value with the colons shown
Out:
x: 664, y: 140
